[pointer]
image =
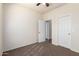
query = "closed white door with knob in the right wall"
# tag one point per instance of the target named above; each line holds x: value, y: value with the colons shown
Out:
x: 65, y: 31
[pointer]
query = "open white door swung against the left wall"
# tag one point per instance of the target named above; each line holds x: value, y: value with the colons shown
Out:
x: 41, y: 31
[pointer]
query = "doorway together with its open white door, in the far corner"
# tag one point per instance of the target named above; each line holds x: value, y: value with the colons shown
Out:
x: 44, y: 31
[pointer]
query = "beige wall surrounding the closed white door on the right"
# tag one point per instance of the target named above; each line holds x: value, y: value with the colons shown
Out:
x: 68, y: 9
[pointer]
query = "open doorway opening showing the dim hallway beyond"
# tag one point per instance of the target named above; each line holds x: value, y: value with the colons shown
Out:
x: 48, y: 31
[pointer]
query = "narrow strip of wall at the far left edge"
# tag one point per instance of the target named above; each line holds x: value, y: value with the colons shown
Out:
x: 1, y: 29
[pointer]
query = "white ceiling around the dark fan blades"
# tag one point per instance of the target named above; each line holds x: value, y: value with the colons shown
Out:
x: 42, y: 8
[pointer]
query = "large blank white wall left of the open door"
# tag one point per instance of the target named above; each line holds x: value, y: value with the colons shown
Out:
x: 21, y: 26
